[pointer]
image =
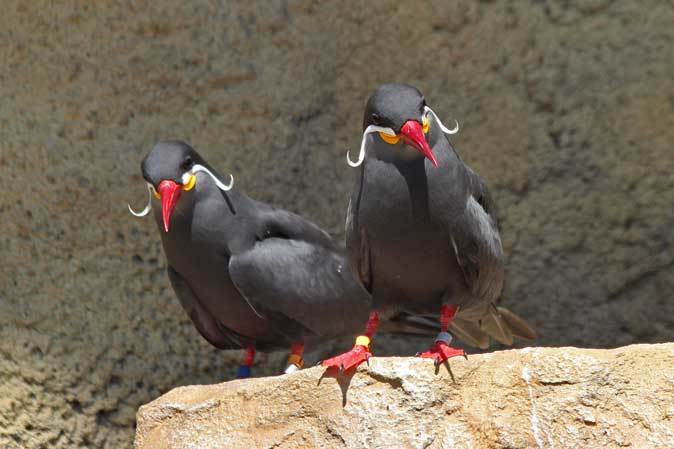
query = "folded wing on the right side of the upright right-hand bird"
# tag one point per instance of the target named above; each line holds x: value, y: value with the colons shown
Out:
x: 477, y: 243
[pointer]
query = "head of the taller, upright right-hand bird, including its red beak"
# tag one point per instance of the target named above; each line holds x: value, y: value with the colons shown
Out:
x: 402, y: 109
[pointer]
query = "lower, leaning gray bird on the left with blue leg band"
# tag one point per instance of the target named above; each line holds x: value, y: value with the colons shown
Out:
x: 248, y: 275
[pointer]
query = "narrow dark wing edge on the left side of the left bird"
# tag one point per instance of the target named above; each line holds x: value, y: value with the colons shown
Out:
x: 207, y: 326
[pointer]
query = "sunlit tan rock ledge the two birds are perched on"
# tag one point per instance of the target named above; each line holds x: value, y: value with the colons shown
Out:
x: 531, y: 398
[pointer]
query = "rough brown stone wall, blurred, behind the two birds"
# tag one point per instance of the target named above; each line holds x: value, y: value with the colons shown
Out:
x: 566, y: 108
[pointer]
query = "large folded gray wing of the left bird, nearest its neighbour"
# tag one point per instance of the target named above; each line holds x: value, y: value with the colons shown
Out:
x: 304, y: 288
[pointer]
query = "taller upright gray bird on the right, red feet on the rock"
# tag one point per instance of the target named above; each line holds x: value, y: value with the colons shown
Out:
x: 421, y: 231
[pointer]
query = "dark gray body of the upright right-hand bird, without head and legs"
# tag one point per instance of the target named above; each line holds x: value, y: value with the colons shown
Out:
x: 420, y: 236
